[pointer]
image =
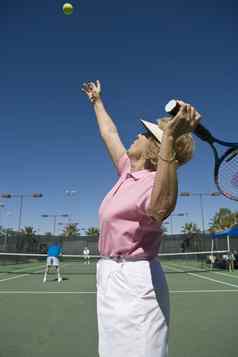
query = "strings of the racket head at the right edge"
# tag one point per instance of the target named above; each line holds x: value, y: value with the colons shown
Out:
x: 227, y: 179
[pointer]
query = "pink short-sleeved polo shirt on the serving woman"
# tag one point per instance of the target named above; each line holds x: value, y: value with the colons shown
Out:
x: 125, y: 229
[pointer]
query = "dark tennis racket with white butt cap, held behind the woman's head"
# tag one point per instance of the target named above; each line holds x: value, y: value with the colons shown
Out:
x: 226, y: 165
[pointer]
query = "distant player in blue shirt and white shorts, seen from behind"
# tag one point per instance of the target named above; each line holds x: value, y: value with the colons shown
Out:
x: 54, y: 251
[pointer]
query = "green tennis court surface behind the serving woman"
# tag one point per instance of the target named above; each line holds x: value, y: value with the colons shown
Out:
x: 55, y: 319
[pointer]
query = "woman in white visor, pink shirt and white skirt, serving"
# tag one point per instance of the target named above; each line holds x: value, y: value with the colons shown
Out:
x: 132, y: 293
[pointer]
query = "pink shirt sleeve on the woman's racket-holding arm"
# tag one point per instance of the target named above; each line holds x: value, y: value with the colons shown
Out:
x: 146, y: 222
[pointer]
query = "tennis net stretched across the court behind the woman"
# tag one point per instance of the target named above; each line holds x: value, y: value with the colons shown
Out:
x: 22, y: 263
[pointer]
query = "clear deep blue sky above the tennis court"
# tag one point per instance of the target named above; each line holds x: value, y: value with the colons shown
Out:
x: 144, y: 53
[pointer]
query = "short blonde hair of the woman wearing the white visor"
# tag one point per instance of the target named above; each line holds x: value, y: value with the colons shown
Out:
x: 184, y: 148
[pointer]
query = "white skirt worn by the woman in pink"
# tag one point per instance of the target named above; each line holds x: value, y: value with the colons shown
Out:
x: 132, y: 309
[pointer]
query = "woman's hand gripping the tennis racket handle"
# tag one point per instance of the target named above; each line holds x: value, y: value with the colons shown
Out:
x: 185, y: 121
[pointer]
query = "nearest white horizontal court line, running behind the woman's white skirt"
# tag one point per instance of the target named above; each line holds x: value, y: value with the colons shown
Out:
x: 29, y: 292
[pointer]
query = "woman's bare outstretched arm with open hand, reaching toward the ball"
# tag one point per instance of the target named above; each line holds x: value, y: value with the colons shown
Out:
x: 106, y: 125
